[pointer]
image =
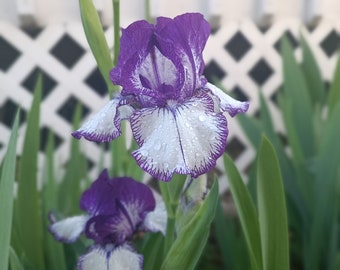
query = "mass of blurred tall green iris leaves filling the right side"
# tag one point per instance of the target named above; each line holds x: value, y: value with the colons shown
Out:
x: 310, y: 169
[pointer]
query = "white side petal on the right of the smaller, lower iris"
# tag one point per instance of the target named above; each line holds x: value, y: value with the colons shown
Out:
x: 156, y: 220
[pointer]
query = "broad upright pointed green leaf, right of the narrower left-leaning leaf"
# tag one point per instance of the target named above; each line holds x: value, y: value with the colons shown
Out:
x: 272, y: 209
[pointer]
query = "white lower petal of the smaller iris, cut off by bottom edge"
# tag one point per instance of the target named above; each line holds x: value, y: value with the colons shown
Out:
x: 110, y: 258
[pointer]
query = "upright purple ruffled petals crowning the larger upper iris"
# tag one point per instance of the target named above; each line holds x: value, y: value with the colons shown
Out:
x: 164, y: 61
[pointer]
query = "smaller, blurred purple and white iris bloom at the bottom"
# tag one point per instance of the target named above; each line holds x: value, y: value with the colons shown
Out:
x: 116, y: 209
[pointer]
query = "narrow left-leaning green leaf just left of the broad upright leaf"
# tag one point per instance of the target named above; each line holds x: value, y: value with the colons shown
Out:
x: 246, y: 211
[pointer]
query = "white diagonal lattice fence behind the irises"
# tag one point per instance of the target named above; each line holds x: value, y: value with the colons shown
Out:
x: 240, y: 55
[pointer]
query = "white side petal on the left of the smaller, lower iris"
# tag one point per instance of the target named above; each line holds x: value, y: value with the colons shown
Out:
x: 69, y: 229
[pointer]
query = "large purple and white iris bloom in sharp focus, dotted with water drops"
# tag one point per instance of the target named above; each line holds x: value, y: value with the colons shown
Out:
x: 176, y: 116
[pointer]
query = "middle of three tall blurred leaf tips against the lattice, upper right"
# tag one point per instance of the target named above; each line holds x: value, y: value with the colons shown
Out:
x: 312, y: 72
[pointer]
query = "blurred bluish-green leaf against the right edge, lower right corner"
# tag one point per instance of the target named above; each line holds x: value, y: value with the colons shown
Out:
x: 322, y: 251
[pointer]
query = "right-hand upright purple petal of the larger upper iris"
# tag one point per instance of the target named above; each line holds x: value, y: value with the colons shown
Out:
x: 182, y: 40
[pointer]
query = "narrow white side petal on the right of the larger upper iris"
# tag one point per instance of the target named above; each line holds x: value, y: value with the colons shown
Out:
x: 228, y: 104
